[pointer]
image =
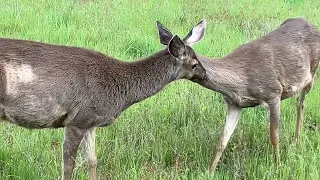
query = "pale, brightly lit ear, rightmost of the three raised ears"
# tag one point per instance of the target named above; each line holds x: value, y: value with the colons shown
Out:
x: 196, y: 34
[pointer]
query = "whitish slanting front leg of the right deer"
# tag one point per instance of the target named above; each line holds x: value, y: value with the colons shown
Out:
x: 233, y: 114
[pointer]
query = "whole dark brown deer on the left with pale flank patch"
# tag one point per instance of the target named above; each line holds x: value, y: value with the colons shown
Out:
x: 51, y: 86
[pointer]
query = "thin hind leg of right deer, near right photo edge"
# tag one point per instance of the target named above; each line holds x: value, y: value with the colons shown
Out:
x: 300, y: 109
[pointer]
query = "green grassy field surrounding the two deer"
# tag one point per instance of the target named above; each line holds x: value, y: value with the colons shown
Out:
x: 173, y: 134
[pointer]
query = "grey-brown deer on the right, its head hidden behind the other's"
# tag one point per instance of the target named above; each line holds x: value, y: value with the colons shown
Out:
x: 265, y: 71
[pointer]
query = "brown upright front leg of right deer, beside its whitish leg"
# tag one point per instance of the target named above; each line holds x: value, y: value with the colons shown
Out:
x: 274, y: 117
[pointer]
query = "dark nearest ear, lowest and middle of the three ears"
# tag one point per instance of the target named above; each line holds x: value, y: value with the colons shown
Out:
x: 177, y: 47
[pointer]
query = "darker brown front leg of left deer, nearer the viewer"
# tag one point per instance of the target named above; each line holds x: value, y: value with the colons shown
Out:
x: 72, y: 139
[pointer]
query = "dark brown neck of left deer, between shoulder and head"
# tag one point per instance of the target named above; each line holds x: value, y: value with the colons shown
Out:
x: 148, y: 76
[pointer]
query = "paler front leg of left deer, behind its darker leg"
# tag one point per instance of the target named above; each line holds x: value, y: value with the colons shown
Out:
x: 88, y: 146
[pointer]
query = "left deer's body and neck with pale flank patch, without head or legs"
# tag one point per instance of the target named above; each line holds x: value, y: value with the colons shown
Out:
x: 75, y: 92
